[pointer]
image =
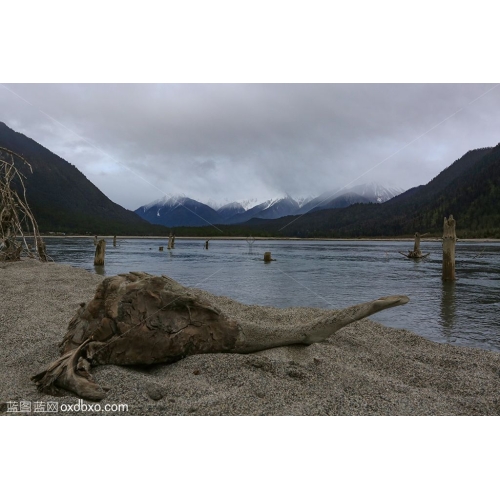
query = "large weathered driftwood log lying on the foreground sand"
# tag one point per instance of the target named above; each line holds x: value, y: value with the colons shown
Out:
x: 139, y: 319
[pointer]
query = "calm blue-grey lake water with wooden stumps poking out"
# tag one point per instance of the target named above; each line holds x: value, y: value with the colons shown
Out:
x: 326, y: 274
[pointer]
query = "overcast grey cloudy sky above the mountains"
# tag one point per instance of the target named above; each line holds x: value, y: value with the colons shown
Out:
x: 227, y: 142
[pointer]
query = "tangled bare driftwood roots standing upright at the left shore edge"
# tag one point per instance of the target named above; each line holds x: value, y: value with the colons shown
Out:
x: 16, y: 219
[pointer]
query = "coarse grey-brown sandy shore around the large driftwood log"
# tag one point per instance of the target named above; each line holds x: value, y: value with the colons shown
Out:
x: 365, y: 369
